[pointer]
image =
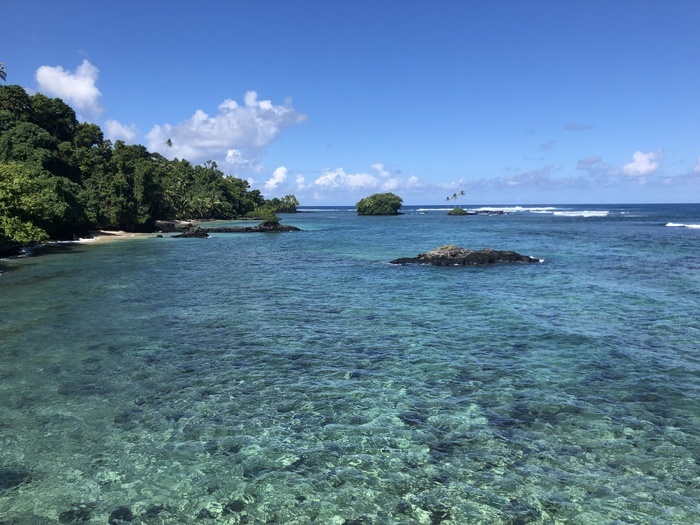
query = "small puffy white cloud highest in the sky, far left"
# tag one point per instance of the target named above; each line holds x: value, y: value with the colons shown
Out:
x: 77, y: 89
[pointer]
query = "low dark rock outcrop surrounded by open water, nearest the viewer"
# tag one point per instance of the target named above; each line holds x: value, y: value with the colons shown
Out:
x: 451, y: 255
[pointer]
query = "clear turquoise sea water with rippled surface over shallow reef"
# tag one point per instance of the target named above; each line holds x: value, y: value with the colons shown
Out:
x: 299, y: 378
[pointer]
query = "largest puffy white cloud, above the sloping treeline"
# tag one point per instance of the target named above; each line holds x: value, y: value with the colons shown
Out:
x: 237, y: 132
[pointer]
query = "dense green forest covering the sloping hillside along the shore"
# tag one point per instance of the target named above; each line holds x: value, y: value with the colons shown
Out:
x: 60, y: 178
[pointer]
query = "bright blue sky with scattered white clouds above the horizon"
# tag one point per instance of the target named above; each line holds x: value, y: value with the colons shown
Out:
x: 513, y: 102
